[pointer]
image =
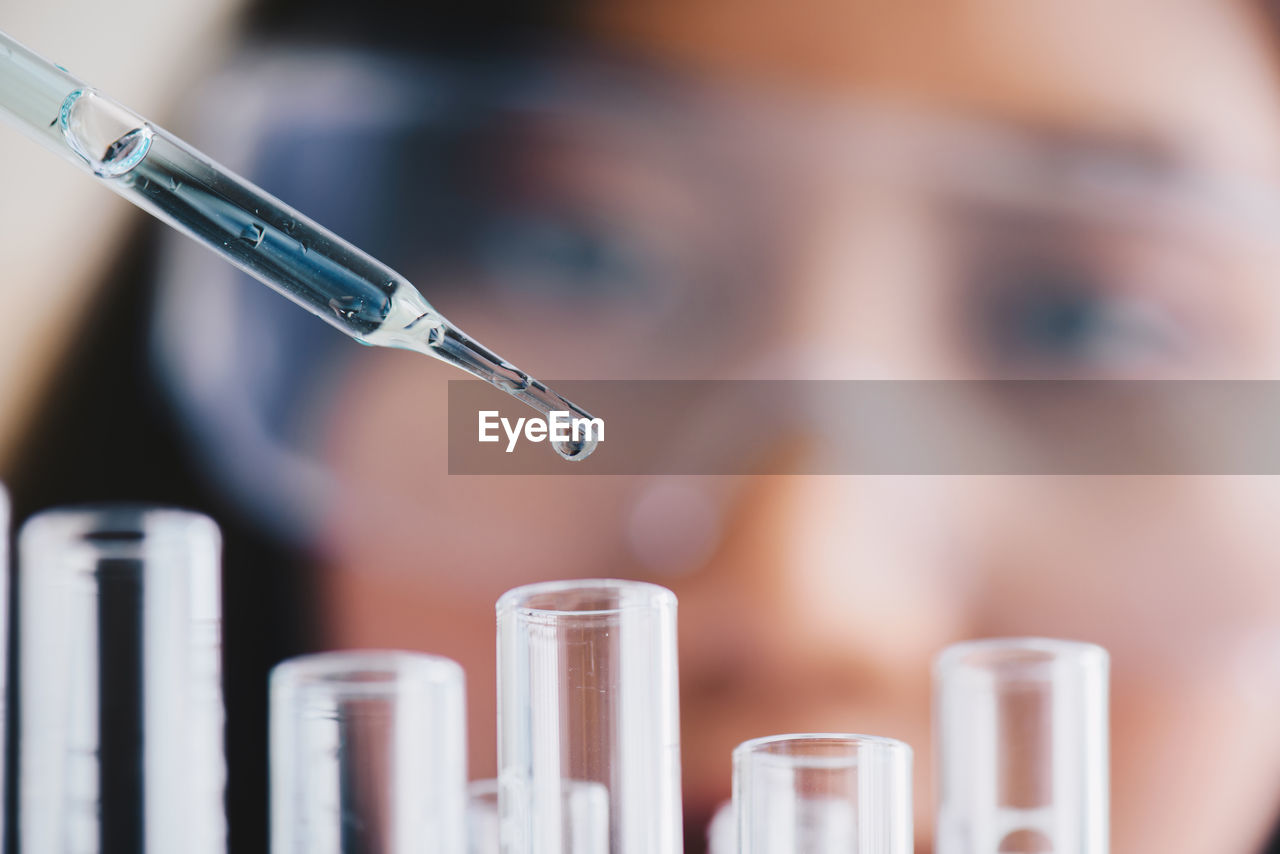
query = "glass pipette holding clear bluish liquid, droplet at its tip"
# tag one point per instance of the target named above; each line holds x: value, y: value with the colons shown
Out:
x: 257, y: 232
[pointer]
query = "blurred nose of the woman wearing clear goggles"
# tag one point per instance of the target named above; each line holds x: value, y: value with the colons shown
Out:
x: 844, y: 578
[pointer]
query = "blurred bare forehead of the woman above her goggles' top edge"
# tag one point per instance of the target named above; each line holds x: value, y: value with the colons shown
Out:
x: 1195, y: 76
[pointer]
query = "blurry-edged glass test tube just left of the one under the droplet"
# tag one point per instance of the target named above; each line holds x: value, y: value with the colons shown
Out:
x: 368, y: 755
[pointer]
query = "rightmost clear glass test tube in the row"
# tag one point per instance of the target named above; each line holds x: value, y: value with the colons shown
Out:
x: 1022, y: 747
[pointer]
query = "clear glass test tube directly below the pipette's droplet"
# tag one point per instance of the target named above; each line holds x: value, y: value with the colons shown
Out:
x: 588, y: 719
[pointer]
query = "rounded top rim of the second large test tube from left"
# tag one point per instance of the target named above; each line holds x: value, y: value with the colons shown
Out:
x: 335, y: 670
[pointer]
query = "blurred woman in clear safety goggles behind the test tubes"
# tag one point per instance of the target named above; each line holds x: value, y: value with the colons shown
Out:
x: 707, y: 190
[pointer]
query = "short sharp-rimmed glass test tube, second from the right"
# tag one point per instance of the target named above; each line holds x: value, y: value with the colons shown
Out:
x: 824, y: 794
